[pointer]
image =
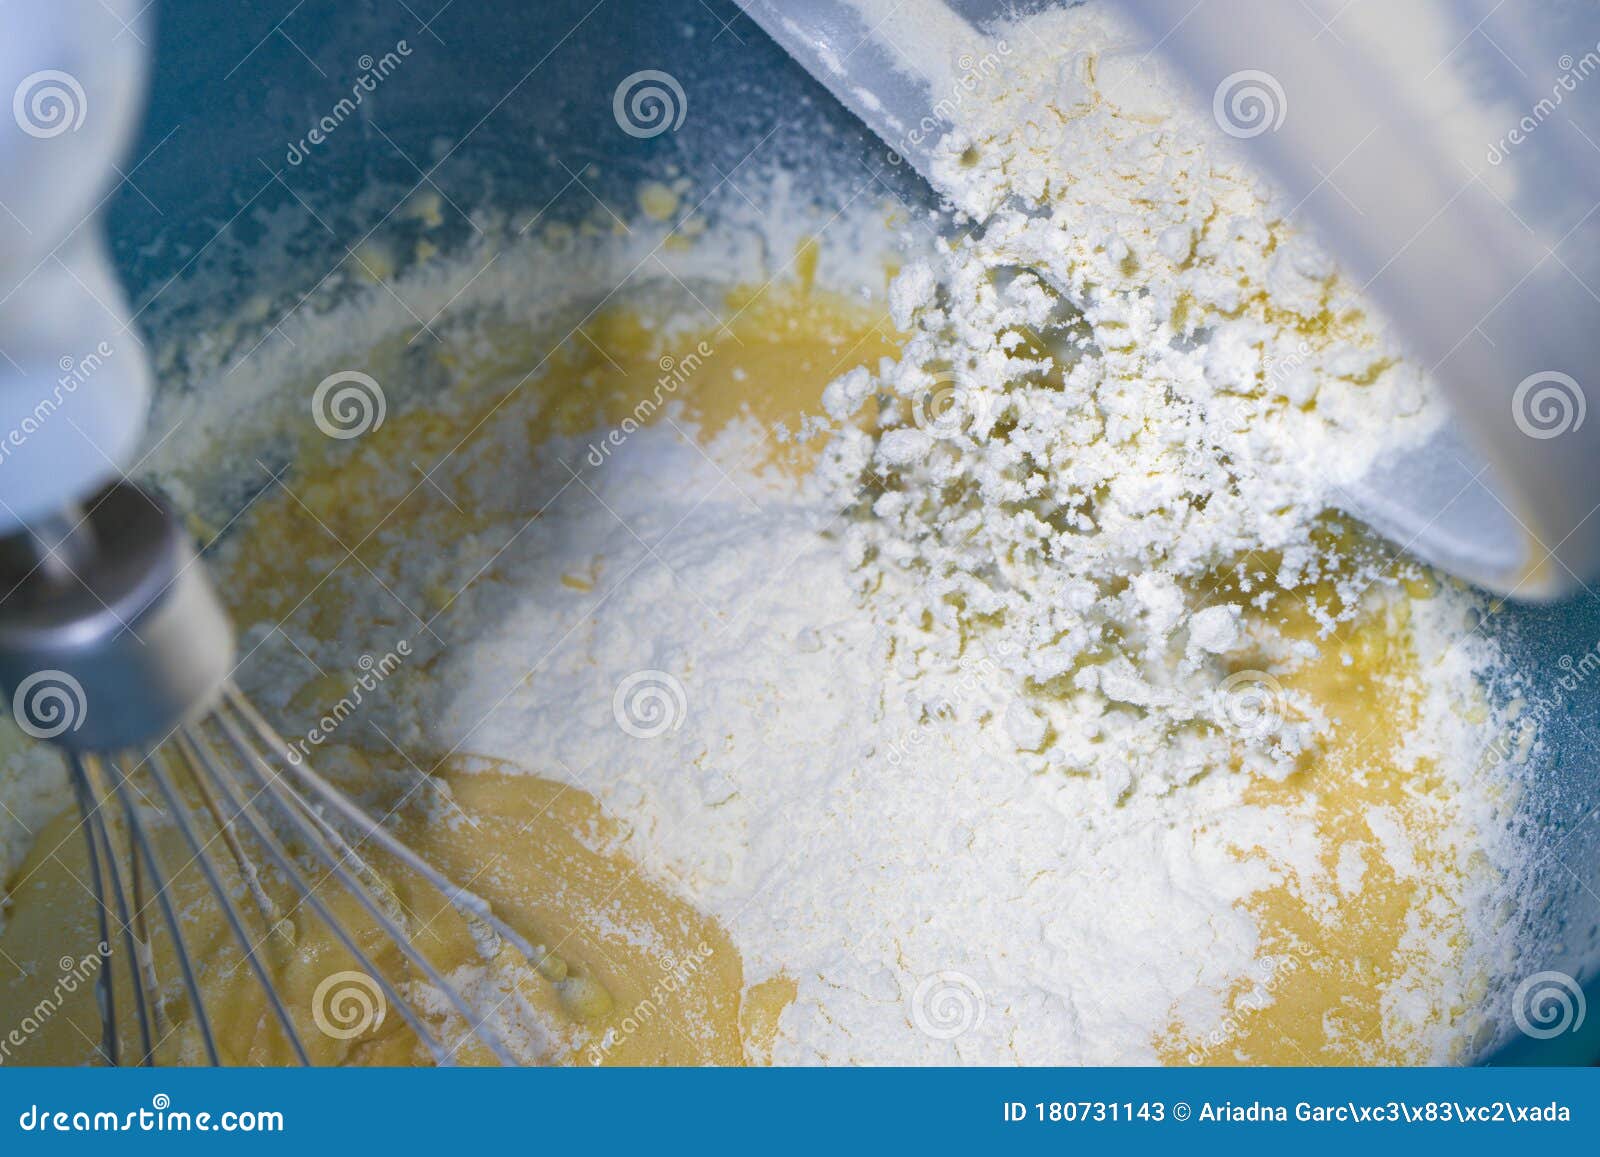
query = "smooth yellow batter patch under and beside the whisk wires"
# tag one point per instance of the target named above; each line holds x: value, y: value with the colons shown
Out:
x: 530, y: 846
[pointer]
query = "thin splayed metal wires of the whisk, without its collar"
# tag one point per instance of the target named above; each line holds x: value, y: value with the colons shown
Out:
x: 126, y: 887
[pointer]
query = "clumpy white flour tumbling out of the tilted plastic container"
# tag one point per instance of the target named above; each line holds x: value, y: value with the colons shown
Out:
x: 1129, y: 401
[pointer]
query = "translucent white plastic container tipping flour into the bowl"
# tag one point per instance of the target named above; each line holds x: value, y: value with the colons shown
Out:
x: 1447, y: 154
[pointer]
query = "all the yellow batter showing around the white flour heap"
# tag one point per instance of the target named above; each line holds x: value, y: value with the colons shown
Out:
x: 548, y: 855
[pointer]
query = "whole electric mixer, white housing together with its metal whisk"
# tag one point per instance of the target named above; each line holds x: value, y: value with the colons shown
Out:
x: 114, y: 644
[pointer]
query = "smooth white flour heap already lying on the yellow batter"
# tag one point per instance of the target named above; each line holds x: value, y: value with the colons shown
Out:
x: 862, y: 825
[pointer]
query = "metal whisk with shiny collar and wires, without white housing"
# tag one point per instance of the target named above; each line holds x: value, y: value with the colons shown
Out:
x: 116, y: 647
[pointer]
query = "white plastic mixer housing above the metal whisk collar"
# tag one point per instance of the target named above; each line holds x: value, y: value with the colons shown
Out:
x: 74, y: 378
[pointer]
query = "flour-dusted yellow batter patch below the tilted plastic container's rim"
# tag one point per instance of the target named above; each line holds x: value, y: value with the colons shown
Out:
x: 1321, y: 1001
